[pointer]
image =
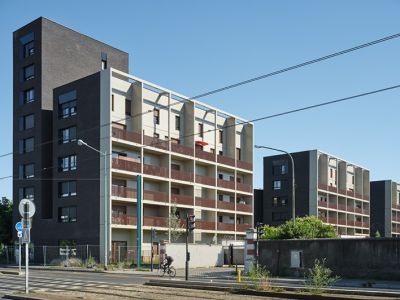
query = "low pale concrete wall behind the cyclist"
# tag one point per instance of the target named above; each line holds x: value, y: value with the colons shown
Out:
x: 200, y: 255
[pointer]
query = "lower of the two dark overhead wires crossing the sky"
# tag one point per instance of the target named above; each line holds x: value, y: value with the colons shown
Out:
x: 242, y: 123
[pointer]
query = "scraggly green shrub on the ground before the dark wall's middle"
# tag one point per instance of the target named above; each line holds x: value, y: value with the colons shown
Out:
x: 319, y: 277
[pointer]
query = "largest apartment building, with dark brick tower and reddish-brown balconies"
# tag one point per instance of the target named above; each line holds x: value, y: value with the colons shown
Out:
x: 192, y: 158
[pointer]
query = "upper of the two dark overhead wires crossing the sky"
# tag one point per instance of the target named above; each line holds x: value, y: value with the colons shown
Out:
x: 310, y: 62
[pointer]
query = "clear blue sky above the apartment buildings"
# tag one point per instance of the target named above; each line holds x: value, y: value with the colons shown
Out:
x: 192, y: 47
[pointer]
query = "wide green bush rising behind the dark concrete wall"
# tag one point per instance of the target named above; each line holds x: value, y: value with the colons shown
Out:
x: 309, y: 227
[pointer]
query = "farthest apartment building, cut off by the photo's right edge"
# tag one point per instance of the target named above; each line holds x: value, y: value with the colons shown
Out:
x: 385, y: 208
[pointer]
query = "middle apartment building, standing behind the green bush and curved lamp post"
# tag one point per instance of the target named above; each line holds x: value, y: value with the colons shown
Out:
x: 329, y: 187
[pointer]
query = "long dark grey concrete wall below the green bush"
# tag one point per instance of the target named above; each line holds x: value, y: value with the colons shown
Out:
x: 348, y: 258
